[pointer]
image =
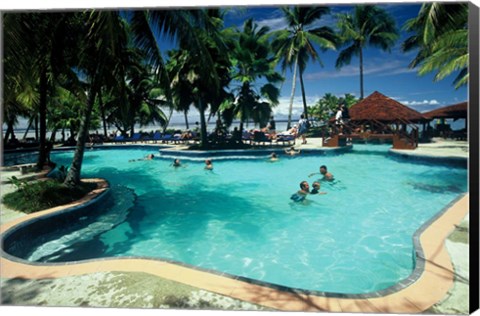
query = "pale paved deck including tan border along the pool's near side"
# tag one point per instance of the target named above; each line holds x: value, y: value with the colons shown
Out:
x: 440, y: 295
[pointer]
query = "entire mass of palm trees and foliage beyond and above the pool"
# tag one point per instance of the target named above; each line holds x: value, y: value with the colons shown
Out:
x: 71, y: 72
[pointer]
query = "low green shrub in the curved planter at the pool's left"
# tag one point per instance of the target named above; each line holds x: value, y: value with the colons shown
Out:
x: 31, y: 197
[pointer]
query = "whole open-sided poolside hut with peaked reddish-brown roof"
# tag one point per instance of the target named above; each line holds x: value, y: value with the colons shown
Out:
x: 377, y: 117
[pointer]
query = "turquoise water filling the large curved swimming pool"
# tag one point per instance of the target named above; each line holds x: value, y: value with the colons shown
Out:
x: 239, y: 219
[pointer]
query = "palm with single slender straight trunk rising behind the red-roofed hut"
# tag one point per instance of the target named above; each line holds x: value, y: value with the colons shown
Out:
x: 368, y: 25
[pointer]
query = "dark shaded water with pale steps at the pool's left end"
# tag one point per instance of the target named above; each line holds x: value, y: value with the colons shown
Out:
x: 185, y: 215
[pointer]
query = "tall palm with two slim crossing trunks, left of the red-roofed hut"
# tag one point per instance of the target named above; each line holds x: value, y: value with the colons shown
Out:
x: 295, y: 45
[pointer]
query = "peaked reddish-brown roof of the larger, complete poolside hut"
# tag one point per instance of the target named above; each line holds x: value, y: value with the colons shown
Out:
x: 381, y: 108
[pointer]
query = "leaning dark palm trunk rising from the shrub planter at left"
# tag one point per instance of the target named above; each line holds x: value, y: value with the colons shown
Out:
x: 73, y: 176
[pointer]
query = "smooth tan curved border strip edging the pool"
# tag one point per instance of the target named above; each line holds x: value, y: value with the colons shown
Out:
x: 421, y: 291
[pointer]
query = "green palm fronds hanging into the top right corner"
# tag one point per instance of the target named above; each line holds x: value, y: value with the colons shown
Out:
x: 441, y: 37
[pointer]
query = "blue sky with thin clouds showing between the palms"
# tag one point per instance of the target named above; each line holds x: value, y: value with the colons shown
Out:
x: 385, y: 72
